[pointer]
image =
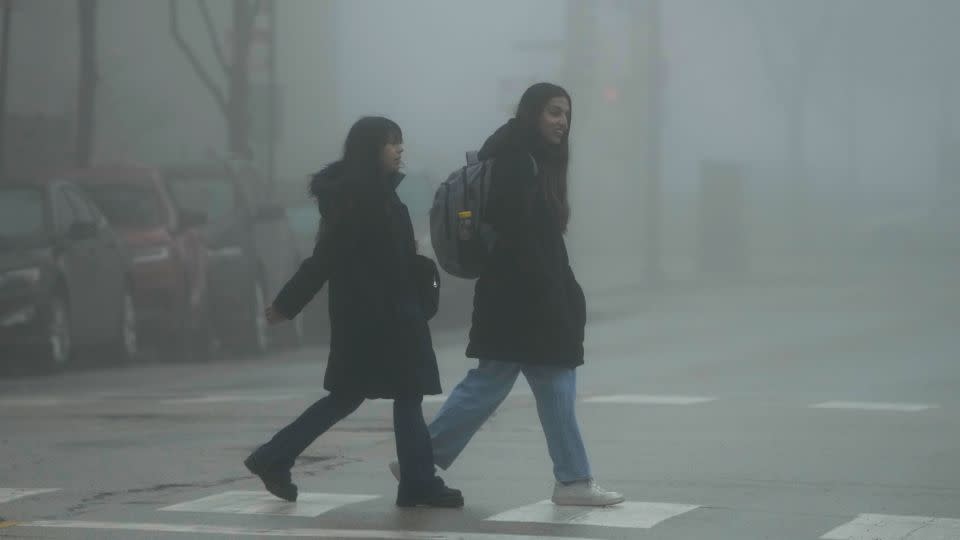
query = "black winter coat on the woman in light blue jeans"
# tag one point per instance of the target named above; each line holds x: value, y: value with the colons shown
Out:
x: 528, y: 306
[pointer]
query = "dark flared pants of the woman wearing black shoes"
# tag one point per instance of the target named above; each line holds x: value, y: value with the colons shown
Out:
x: 414, y: 450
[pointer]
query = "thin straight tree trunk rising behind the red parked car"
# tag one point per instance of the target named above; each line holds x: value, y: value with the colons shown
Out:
x: 87, y: 83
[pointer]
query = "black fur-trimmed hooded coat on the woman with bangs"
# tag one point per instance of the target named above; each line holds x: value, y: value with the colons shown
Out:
x: 380, y: 345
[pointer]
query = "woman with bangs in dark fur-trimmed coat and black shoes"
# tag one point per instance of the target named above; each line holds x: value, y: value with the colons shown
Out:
x: 380, y: 346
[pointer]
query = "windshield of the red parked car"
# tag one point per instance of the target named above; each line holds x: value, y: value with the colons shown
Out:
x: 128, y: 206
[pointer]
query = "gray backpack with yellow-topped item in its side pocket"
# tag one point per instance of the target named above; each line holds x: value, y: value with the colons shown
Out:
x: 461, y: 240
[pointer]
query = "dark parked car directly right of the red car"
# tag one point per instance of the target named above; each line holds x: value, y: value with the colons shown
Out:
x: 251, y: 248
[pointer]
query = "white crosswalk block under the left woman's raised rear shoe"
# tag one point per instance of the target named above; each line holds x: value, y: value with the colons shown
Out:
x: 259, y: 502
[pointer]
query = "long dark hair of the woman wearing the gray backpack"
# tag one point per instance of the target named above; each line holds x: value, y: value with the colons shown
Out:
x: 553, y: 158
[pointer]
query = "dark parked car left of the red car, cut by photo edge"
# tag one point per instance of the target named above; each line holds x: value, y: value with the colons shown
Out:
x: 65, y: 277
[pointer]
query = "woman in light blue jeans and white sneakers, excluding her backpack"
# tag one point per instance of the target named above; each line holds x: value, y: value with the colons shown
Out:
x: 529, y: 311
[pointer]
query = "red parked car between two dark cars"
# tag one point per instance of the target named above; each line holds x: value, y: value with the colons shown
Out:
x: 169, y: 255
